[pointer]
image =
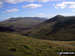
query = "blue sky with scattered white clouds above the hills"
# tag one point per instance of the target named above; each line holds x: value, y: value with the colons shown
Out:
x: 36, y: 8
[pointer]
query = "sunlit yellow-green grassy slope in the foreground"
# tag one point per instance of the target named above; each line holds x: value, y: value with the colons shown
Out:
x: 17, y: 45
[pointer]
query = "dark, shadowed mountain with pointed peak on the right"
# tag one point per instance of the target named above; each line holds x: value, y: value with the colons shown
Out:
x: 56, y: 28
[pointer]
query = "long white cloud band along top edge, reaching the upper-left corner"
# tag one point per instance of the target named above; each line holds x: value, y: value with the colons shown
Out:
x: 19, y: 1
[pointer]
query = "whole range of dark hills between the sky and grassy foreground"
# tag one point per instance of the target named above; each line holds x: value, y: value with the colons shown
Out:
x: 56, y: 28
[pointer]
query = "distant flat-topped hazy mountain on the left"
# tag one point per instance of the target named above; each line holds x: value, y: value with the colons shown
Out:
x: 20, y: 23
